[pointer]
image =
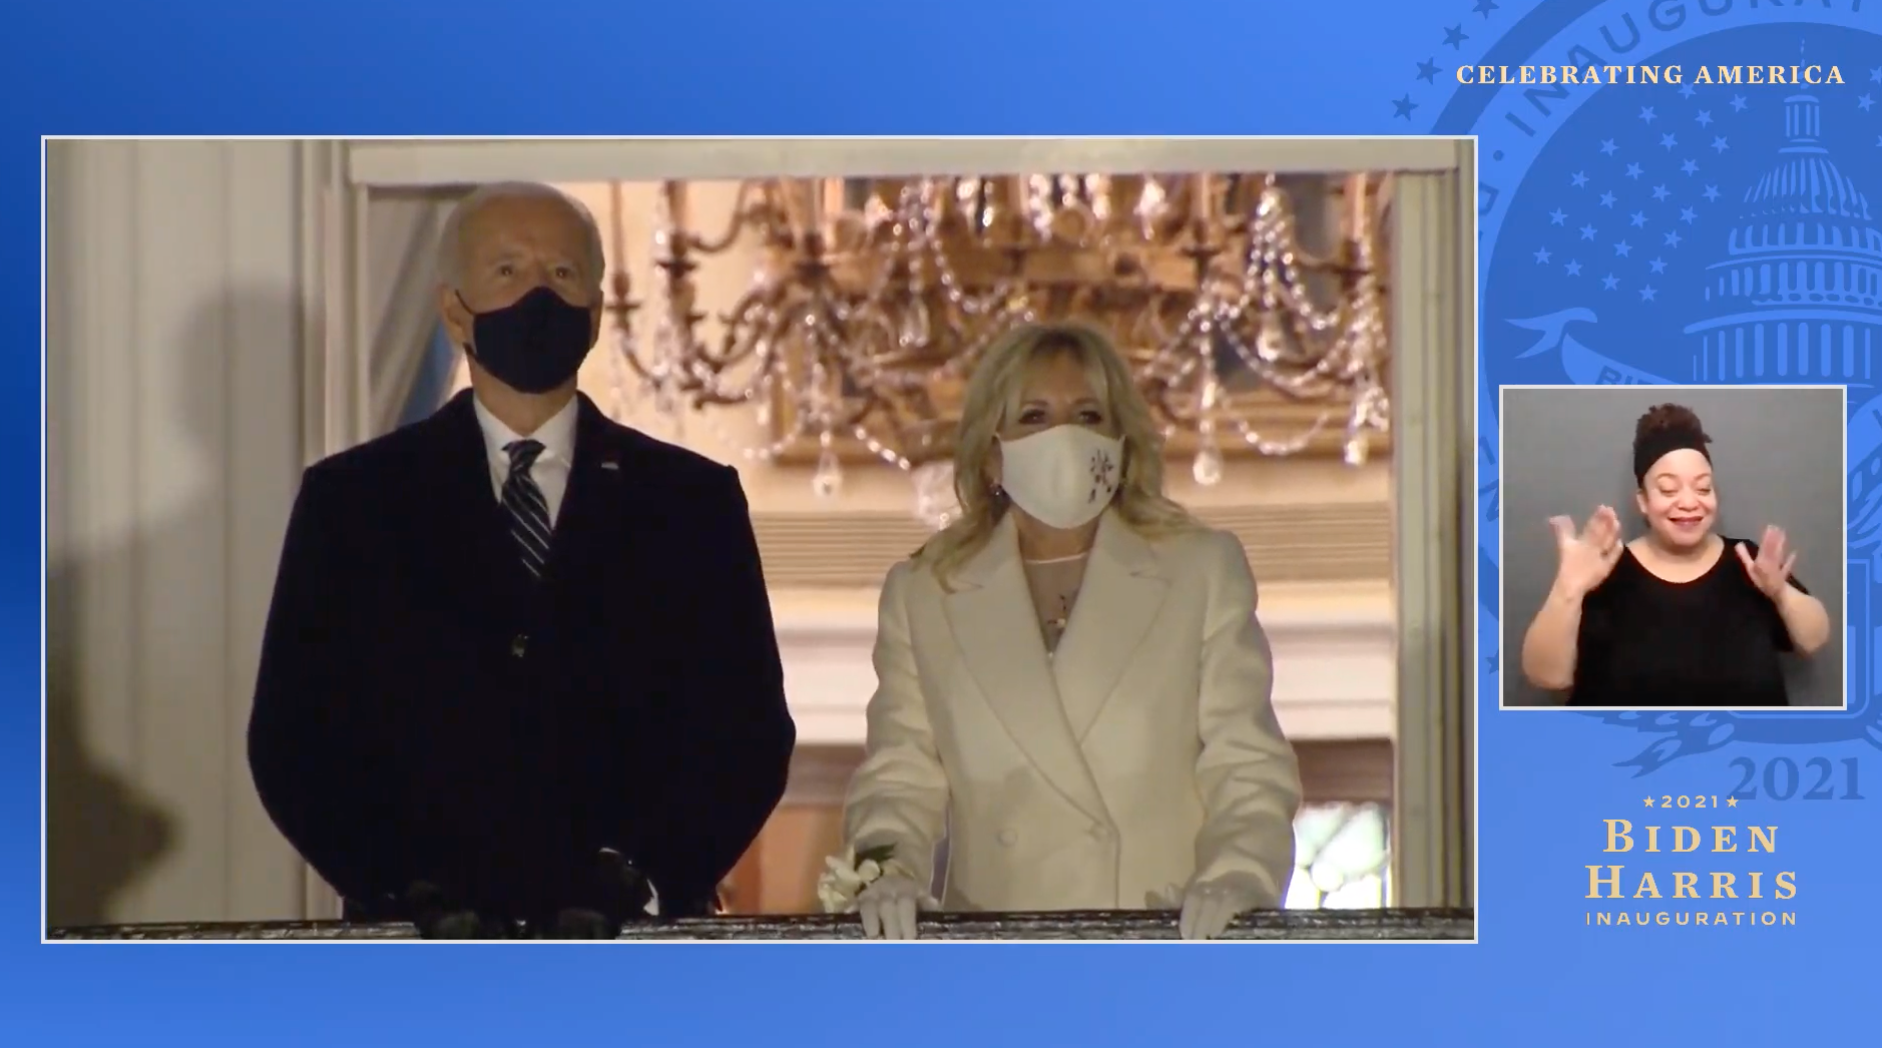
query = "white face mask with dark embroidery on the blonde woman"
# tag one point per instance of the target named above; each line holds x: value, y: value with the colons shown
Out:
x: 1062, y: 477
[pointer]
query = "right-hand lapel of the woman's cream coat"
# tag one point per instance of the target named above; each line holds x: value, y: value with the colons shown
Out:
x: 1117, y: 605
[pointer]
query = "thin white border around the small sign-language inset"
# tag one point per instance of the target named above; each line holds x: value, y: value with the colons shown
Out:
x: 1843, y: 552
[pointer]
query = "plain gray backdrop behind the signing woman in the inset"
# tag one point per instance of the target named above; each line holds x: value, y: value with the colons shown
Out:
x: 1778, y: 458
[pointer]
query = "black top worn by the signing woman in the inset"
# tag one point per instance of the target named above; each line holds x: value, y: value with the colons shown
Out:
x: 1712, y: 643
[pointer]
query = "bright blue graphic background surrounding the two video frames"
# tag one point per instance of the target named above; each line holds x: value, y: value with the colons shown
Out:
x: 1053, y: 67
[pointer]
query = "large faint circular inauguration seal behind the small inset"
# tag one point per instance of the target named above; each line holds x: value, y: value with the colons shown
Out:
x: 1601, y: 210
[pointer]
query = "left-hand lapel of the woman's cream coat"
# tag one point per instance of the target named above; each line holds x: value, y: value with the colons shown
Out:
x: 993, y: 618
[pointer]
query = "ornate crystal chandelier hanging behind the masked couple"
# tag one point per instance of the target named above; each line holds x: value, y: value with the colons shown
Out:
x: 878, y: 296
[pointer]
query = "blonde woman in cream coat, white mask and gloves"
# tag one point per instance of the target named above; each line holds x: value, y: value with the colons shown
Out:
x: 1074, y: 688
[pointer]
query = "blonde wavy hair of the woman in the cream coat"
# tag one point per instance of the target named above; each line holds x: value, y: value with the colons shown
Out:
x: 993, y: 400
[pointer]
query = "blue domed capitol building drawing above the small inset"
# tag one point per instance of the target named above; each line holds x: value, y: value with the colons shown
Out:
x: 1798, y: 296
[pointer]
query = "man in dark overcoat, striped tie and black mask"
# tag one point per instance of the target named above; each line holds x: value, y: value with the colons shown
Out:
x: 520, y: 673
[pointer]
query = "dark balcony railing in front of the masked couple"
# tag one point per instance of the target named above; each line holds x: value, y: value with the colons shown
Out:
x: 1390, y: 925
